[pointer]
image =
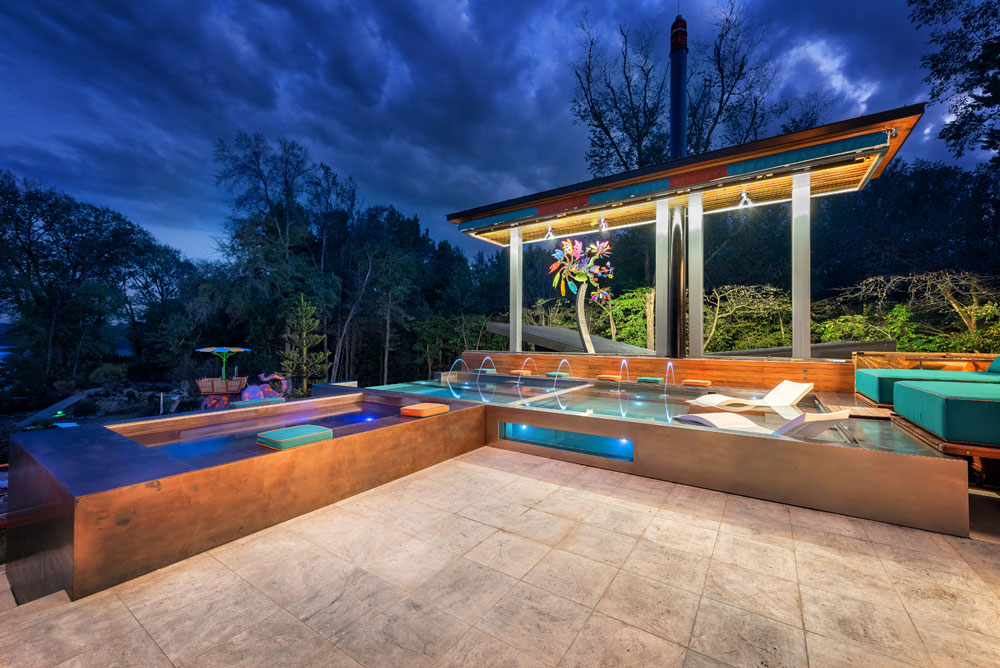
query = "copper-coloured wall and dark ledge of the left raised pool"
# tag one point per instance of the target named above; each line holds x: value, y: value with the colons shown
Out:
x: 97, y: 508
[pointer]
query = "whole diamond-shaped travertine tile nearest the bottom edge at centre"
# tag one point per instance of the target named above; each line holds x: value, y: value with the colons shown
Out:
x: 536, y: 622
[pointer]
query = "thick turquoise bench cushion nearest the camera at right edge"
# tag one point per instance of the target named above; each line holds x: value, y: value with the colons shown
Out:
x: 957, y: 412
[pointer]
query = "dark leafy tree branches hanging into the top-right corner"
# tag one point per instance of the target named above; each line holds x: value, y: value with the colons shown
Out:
x: 964, y: 70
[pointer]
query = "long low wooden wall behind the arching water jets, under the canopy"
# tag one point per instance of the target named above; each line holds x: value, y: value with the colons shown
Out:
x: 826, y: 375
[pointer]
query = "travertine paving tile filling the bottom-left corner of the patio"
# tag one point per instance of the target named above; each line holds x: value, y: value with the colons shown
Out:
x: 72, y: 630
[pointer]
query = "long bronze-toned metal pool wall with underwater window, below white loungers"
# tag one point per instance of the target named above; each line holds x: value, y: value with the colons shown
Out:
x: 925, y: 492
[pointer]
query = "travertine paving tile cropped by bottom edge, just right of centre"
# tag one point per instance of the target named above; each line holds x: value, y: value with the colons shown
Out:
x: 608, y: 643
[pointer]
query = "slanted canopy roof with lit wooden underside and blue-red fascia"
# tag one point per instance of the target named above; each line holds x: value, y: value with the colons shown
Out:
x: 840, y: 157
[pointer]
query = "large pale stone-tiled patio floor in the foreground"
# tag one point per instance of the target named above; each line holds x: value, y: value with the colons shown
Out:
x: 503, y: 559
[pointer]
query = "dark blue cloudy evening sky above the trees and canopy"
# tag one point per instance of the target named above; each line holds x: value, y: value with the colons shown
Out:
x: 434, y: 105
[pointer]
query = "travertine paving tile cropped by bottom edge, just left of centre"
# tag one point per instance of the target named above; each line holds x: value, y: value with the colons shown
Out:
x: 407, y: 633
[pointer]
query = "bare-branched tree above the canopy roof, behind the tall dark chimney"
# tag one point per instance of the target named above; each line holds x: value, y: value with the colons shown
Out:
x: 621, y: 99
